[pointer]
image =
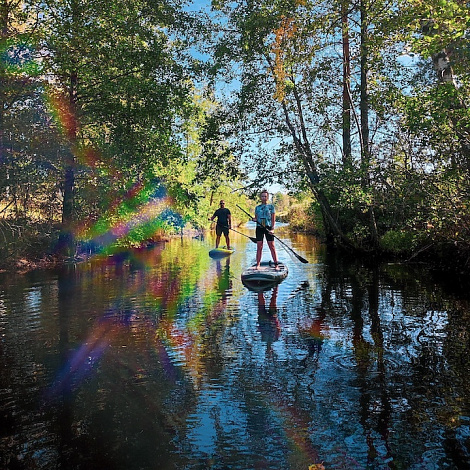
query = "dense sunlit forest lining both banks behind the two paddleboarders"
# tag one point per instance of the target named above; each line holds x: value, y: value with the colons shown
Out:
x: 124, y: 120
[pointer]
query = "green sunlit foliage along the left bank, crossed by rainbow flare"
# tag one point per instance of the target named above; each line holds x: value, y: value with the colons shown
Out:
x: 119, y: 109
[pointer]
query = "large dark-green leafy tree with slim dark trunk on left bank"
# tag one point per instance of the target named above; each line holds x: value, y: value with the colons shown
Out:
x: 120, y: 83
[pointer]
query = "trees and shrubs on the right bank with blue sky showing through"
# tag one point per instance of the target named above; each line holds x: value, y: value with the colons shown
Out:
x: 393, y: 174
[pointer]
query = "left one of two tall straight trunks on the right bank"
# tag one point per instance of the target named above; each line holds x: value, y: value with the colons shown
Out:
x: 347, y: 160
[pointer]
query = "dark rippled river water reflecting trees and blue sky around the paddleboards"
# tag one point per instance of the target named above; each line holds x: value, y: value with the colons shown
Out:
x: 164, y: 360
